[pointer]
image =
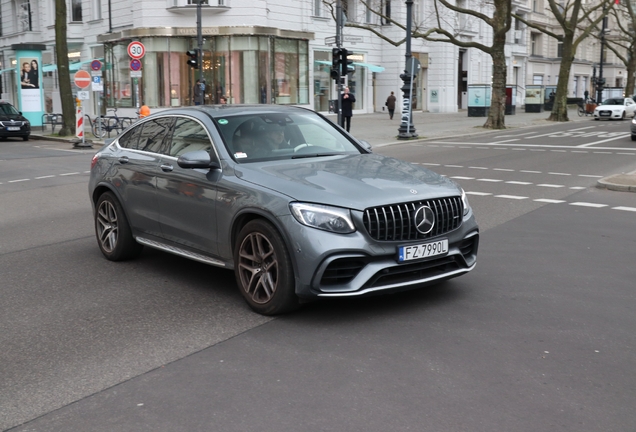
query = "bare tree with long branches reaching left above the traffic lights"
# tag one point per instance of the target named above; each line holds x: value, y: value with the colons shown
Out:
x: 445, y: 31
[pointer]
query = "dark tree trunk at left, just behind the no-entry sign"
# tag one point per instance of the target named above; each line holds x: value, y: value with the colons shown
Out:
x: 63, y: 73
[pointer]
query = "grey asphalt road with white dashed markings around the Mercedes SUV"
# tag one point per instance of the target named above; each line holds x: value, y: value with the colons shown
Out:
x: 538, y: 337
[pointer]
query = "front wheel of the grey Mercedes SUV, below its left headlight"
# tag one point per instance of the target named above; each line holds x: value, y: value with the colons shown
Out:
x: 263, y: 269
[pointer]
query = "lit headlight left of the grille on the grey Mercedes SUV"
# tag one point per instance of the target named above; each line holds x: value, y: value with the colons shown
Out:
x: 333, y: 219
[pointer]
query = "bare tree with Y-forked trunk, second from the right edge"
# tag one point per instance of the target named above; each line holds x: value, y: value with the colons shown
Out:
x: 569, y: 17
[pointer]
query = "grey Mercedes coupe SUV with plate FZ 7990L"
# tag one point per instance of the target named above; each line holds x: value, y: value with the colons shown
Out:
x: 289, y: 201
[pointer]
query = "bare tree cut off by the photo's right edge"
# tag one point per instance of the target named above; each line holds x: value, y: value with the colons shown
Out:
x: 623, y: 42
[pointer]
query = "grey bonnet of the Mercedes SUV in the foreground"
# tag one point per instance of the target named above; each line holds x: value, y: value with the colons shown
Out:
x: 353, y: 181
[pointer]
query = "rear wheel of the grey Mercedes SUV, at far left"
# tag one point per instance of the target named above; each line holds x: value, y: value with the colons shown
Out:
x: 113, y: 232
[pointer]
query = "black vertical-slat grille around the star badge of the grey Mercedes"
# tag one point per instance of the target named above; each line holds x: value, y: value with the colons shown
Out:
x: 395, y: 222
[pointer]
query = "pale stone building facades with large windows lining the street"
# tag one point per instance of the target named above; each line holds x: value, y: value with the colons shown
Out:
x: 273, y: 52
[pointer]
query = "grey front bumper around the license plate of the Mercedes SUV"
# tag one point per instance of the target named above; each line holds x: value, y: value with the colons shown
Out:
x: 331, y: 265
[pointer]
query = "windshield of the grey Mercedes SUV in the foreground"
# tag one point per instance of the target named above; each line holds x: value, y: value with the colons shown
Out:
x: 268, y: 136
